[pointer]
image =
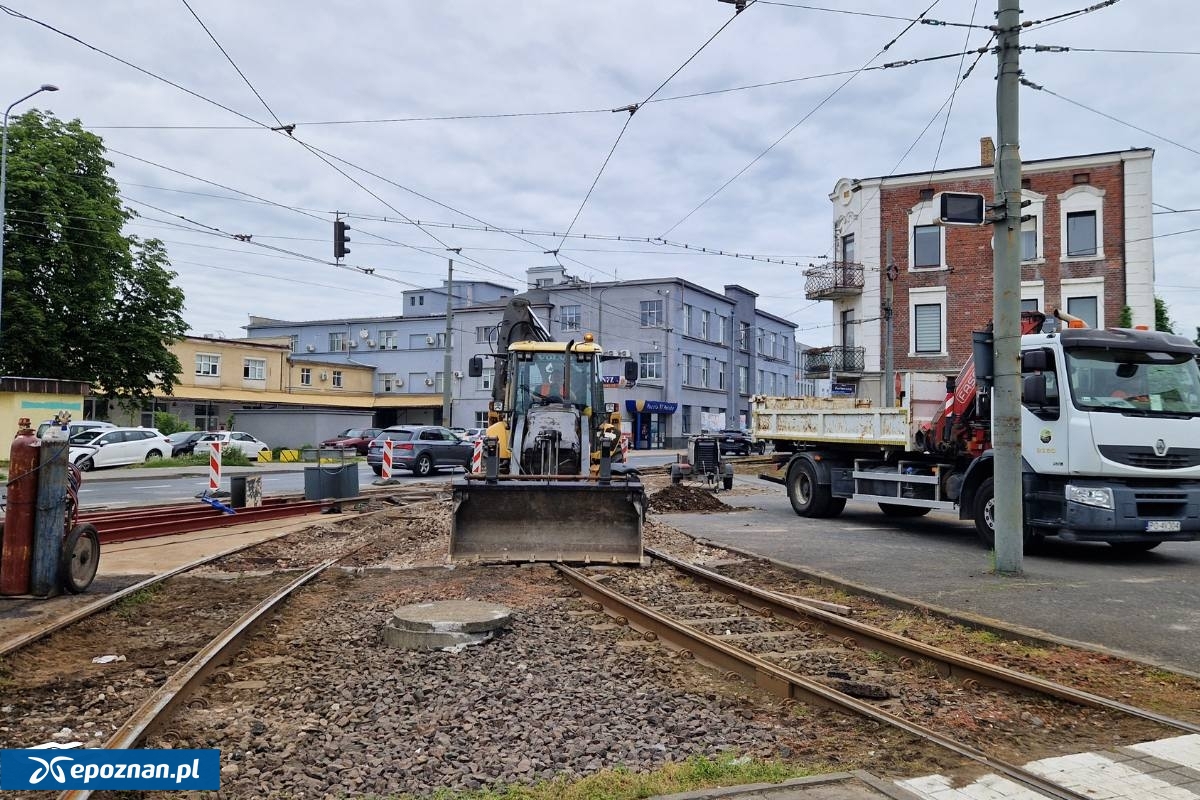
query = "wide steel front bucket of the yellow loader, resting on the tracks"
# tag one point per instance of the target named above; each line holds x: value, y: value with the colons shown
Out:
x: 548, y: 519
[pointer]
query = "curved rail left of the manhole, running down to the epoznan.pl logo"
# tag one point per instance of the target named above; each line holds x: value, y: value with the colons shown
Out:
x: 176, y: 690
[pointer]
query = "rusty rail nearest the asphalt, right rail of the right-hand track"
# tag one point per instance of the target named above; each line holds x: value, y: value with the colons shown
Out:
x: 952, y: 665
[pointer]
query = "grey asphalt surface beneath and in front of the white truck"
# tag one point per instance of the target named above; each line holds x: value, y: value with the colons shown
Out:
x: 1147, y: 605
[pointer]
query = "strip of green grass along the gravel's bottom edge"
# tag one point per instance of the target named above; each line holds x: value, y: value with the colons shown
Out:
x: 697, y: 773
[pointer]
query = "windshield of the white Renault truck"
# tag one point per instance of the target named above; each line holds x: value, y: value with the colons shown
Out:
x: 1145, y: 382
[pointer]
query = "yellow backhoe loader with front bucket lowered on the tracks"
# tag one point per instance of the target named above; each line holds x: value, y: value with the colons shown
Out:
x: 555, y: 486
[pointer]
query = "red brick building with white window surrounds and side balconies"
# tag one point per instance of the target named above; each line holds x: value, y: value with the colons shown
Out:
x: 1085, y: 243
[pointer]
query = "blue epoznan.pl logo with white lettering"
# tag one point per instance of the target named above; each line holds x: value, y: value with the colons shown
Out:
x: 112, y: 769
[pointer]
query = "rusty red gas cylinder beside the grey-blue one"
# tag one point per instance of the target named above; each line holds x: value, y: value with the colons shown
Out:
x: 17, y: 550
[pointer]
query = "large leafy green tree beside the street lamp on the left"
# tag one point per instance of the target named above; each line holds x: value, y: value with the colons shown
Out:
x: 82, y: 300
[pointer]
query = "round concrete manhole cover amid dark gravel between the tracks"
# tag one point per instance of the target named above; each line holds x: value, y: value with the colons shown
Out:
x: 446, y: 624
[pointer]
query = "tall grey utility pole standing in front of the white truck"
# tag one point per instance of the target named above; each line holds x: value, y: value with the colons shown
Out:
x: 1006, y: 413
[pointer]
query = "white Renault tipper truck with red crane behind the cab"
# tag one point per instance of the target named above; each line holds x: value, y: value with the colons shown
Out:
x: 1111, y: 442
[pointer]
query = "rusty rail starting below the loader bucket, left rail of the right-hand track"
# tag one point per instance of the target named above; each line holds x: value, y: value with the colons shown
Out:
x: 785, y: 683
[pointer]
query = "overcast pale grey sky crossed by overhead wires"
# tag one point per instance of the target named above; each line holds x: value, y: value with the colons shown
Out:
x: 325, y: 62
